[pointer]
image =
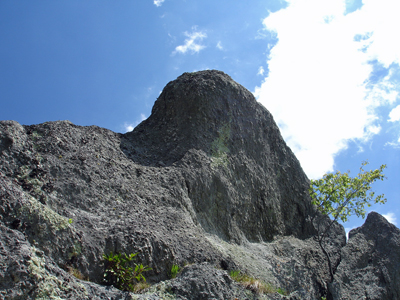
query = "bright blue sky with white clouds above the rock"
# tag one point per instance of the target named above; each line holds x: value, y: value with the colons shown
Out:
x: 328, y: 70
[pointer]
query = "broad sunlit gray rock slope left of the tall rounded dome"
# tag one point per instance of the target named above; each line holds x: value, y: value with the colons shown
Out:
x: 76, y: 196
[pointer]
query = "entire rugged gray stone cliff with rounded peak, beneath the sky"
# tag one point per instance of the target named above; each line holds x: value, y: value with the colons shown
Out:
x: 206, y: 181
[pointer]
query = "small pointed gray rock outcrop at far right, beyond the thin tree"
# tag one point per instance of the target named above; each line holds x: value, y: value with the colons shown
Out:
x: 370, y: 265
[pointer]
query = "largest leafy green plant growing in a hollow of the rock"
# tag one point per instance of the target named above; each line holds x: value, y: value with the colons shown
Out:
x: 120, y: 273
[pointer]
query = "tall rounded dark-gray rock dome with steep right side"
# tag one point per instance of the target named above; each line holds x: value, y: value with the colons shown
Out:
x: 215, y: 132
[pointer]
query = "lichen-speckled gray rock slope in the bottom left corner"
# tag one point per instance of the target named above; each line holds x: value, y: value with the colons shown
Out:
x: 27, y: 273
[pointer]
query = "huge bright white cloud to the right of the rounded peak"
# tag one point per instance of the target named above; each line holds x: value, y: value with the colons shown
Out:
x: 317, y: 86
